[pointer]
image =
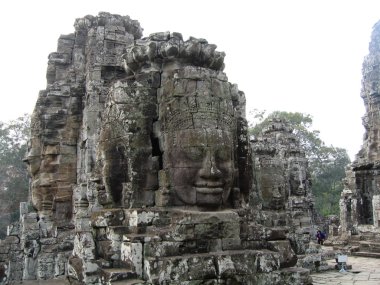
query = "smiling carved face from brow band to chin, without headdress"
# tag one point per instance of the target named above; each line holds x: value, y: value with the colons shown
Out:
x: 201, y: 166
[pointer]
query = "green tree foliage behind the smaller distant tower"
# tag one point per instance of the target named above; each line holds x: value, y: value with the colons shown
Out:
x: 327, y: 163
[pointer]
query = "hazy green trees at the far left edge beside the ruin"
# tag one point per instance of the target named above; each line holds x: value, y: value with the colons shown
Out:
x: 13, y: 171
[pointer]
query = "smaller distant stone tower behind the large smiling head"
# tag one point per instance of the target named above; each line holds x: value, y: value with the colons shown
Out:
x: 283, y: 182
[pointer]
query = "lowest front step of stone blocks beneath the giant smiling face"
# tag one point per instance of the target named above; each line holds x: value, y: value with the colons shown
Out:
x: 195, y: 267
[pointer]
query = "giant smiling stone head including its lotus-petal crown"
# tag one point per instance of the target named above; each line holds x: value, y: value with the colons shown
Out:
x: 200, y: 124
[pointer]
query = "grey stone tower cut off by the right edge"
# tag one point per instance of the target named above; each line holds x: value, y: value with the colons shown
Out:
x: 360, y: 200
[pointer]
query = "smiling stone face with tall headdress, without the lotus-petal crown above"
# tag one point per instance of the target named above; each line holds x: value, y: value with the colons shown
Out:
x: 199, y: 145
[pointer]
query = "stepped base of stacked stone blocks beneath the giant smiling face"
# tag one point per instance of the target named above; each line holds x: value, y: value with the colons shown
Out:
x: 165, y: 246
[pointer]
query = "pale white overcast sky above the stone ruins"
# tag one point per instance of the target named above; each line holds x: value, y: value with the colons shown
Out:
x: 302, y: 56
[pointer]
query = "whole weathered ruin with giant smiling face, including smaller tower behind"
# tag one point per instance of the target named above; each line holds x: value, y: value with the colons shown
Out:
x: 142, y: 170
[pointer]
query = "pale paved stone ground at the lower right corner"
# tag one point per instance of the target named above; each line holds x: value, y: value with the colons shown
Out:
x: 365, y: 271
